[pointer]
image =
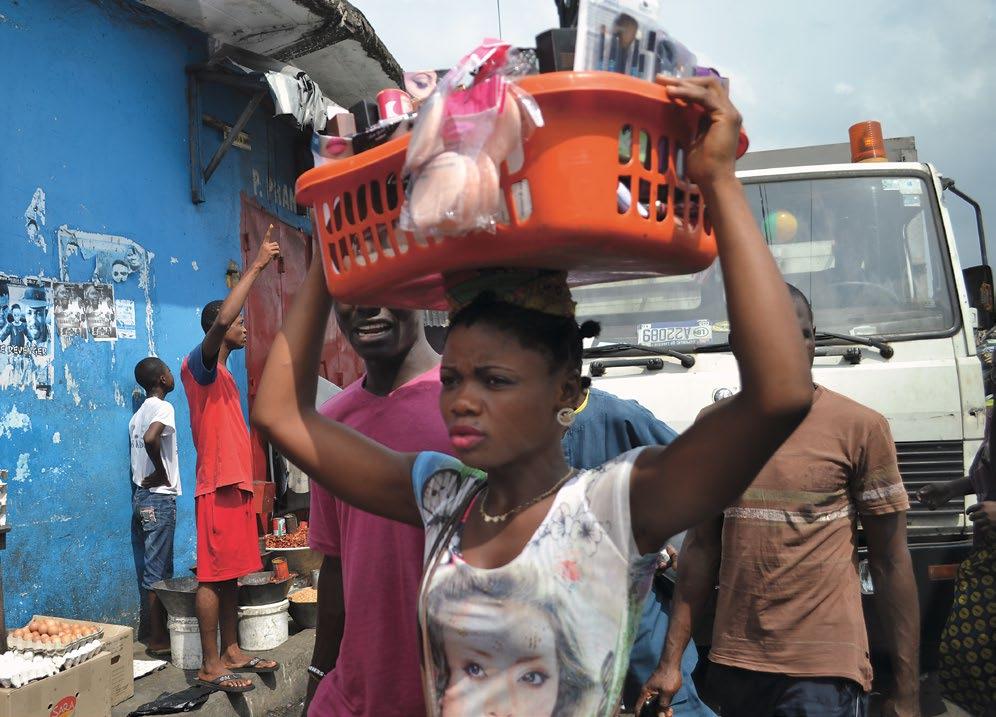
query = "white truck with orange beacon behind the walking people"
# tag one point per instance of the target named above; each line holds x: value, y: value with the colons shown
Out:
x: 872, y: 247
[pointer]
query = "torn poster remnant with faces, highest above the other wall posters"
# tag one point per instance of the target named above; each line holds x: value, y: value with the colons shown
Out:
x: 109, y: 258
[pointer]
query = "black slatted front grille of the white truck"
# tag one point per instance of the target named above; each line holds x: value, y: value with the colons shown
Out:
x: 923, y: 462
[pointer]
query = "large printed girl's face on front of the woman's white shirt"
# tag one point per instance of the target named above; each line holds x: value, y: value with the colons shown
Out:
x: 502, y: 660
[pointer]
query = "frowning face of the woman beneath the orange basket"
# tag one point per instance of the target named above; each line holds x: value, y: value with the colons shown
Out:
x: 500, y: 400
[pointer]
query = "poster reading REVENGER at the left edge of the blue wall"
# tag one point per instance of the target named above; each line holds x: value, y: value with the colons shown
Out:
x: 27, y: 349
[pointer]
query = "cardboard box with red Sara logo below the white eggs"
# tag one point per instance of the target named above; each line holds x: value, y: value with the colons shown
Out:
x: 81, y: 691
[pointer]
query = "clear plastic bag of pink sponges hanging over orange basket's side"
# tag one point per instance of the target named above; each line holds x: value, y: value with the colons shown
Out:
x: 475, y: 120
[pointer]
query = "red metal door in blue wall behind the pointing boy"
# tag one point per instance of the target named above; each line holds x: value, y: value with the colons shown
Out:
x: 271, y: 298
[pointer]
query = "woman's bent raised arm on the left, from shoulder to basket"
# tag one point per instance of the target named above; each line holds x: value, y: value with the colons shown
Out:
x: 352, y: 467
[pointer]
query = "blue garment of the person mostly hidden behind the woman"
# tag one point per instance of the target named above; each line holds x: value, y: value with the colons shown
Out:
x: 608, y: 426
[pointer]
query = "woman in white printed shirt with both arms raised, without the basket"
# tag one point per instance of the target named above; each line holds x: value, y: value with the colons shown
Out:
x: 535, y: 574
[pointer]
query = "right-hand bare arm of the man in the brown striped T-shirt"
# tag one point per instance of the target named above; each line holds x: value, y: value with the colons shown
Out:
x: 897, y: 606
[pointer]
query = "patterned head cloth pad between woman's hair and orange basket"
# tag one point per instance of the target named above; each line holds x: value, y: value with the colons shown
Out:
x: 541, y: 290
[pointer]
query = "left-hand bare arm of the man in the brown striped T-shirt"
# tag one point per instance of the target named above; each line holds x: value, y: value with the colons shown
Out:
x: 698, y: 571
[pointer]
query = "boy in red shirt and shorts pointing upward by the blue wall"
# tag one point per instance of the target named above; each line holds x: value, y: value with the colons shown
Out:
x: 227, y: 543
